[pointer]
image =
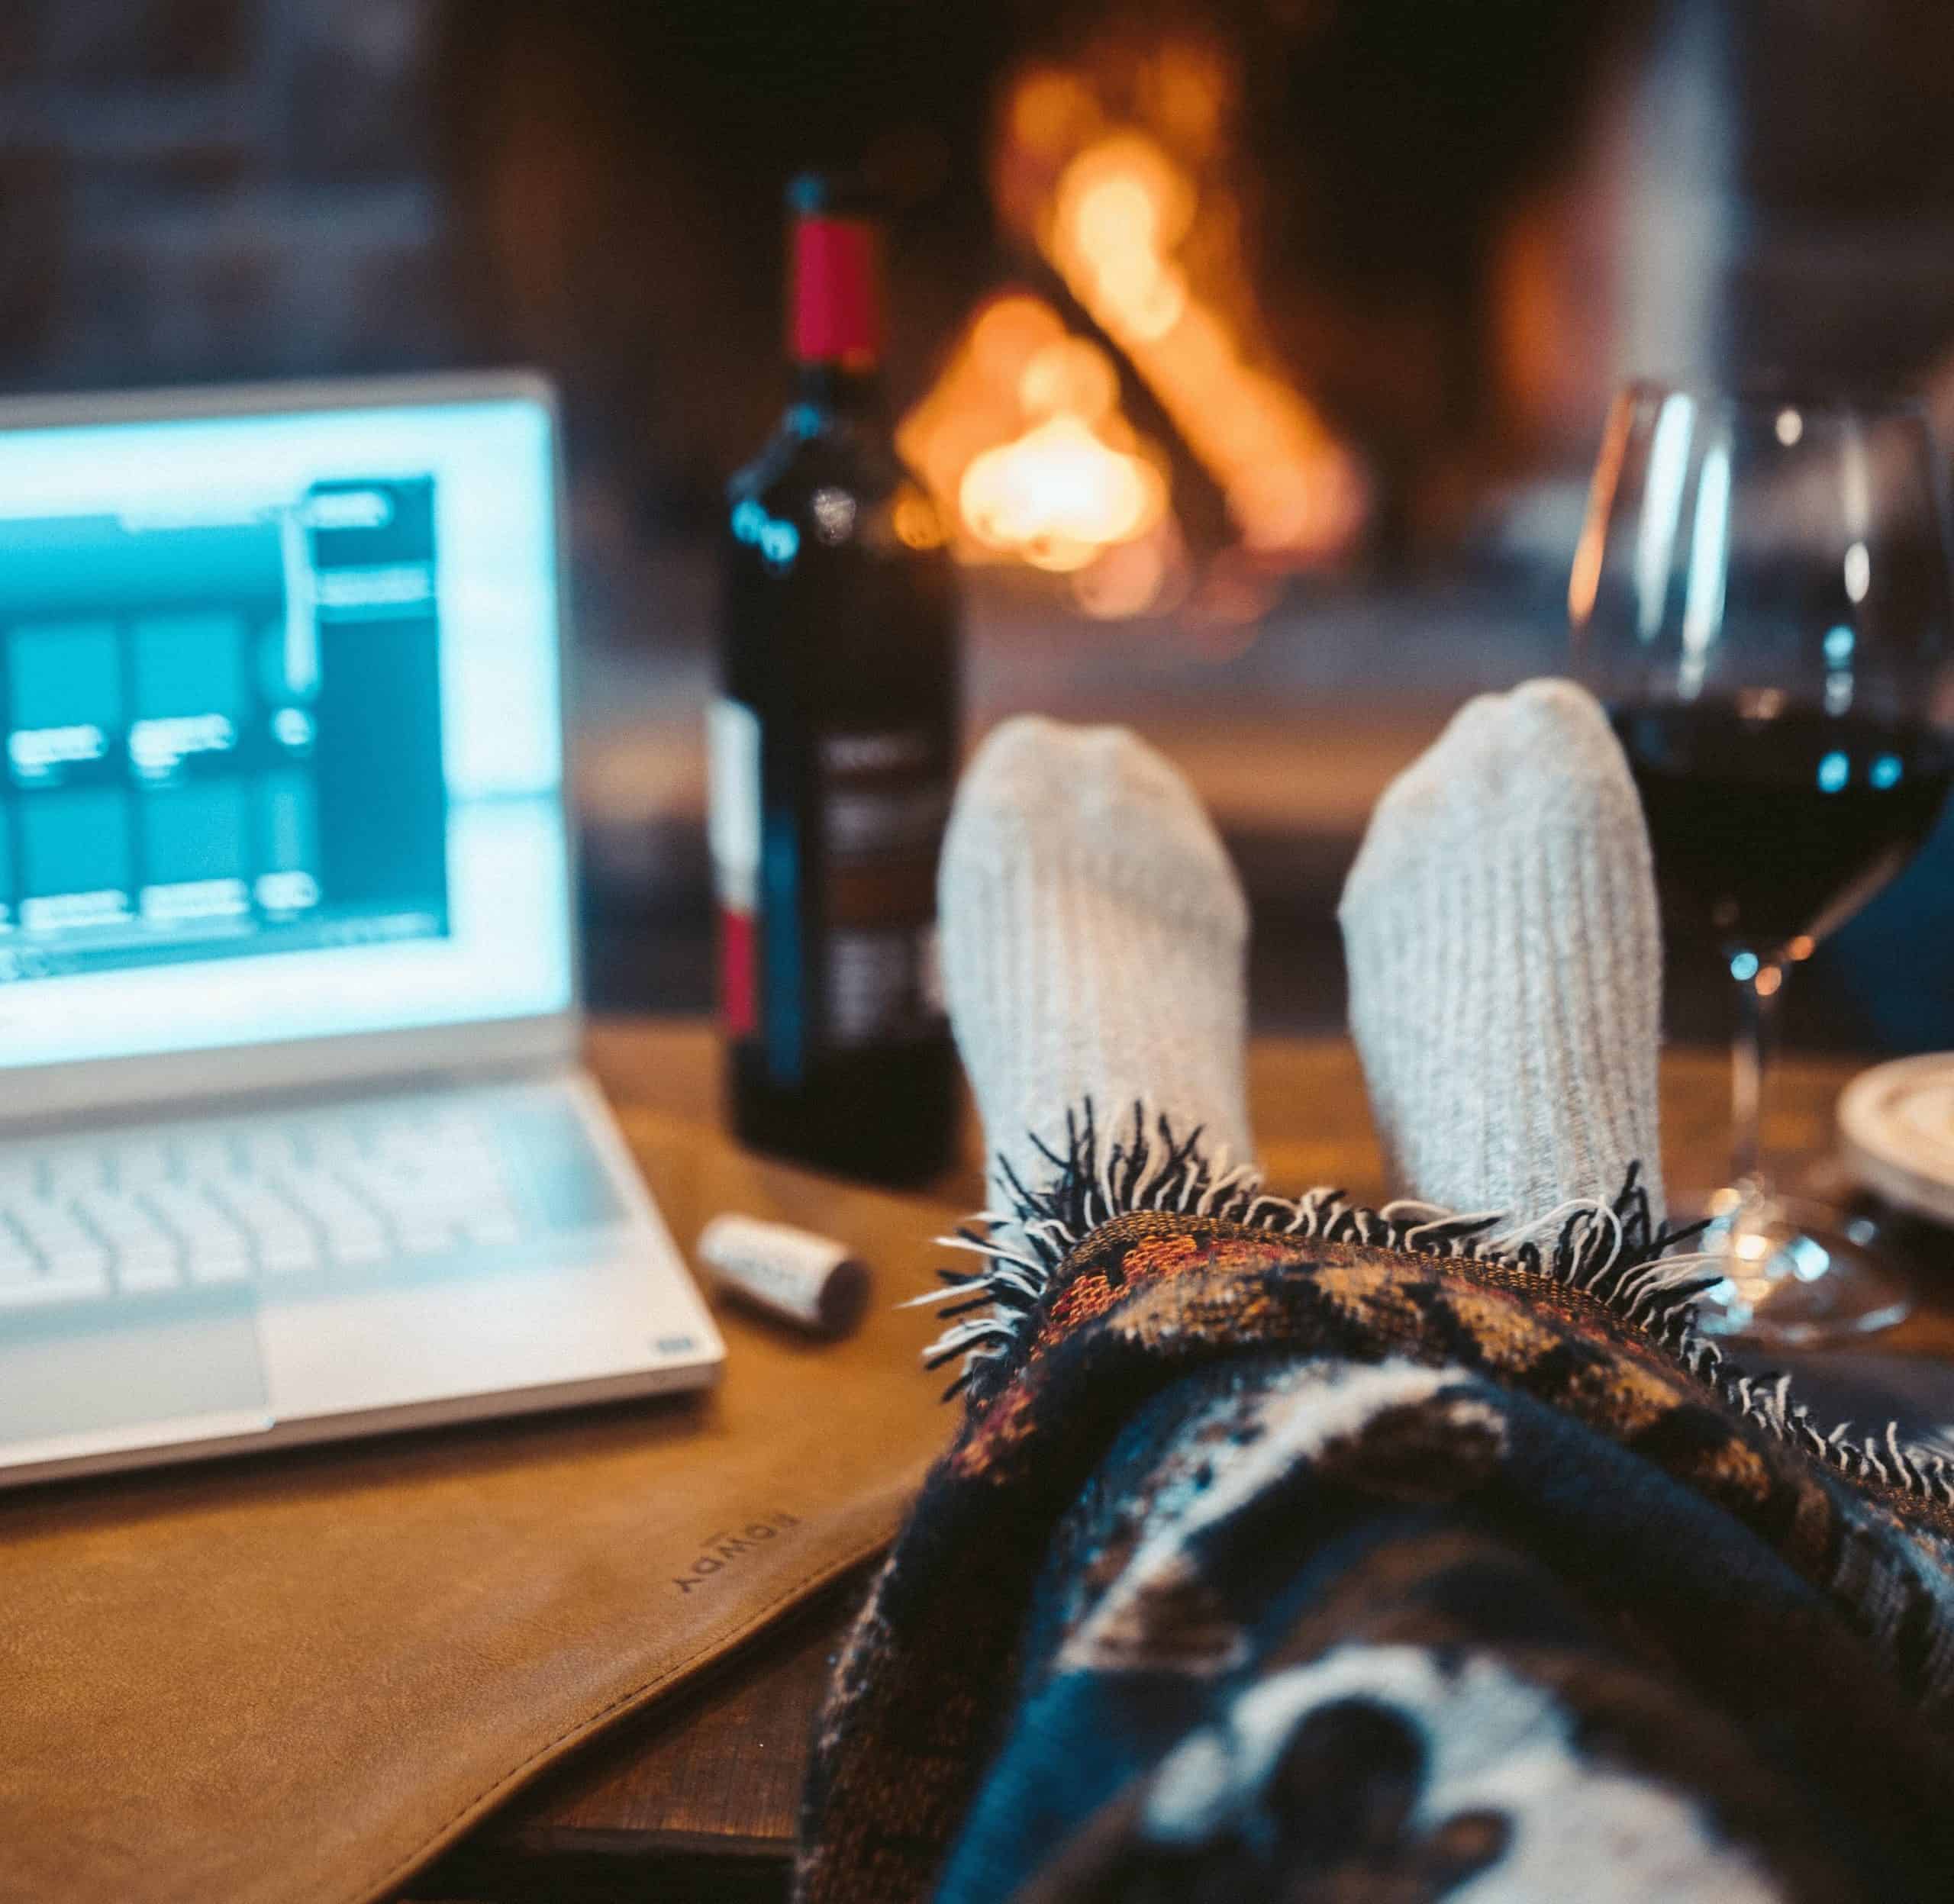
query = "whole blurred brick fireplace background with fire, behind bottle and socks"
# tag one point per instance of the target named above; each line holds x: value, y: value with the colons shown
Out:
x: 1338, y: 290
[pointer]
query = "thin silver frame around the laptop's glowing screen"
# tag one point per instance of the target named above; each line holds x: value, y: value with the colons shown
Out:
x: 46, y: 1093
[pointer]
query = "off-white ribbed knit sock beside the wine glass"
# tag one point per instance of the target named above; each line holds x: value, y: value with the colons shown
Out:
x: 1506, y: 964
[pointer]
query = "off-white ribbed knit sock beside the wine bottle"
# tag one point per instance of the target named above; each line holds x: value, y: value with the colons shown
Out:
x: 1093, y: 944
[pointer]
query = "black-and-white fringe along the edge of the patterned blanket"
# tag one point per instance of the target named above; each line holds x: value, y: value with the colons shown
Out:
x: 1611, y: 1251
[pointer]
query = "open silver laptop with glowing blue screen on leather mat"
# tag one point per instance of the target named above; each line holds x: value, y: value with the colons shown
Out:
x: 294, y: 1139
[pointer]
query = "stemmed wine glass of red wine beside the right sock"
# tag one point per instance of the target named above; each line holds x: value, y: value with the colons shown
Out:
x: 1762, y: 600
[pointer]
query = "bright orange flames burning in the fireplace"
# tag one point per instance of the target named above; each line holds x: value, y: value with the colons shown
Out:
x: 1025, y: 436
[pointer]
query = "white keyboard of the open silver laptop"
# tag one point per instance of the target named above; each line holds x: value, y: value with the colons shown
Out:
x: 327, y: 1194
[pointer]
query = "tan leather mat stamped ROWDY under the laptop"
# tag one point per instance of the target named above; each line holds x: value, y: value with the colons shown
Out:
x: 298, y: 1676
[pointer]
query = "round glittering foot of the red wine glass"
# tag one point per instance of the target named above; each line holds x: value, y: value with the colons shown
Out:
x: 1799, y: 1274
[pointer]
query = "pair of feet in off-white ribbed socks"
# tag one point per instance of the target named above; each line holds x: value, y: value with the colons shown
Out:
x: 1500, y: 932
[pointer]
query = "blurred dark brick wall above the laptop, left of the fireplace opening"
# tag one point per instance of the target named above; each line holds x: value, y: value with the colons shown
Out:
x: 218, y: 188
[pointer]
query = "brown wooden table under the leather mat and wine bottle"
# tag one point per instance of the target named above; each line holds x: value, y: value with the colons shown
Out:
x: 697, y: 1798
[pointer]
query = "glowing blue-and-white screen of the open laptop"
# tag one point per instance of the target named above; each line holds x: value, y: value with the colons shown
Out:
x: 282, y: 735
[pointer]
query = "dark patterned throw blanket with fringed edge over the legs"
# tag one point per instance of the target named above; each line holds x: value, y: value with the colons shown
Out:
x: 1310, y: 1553
